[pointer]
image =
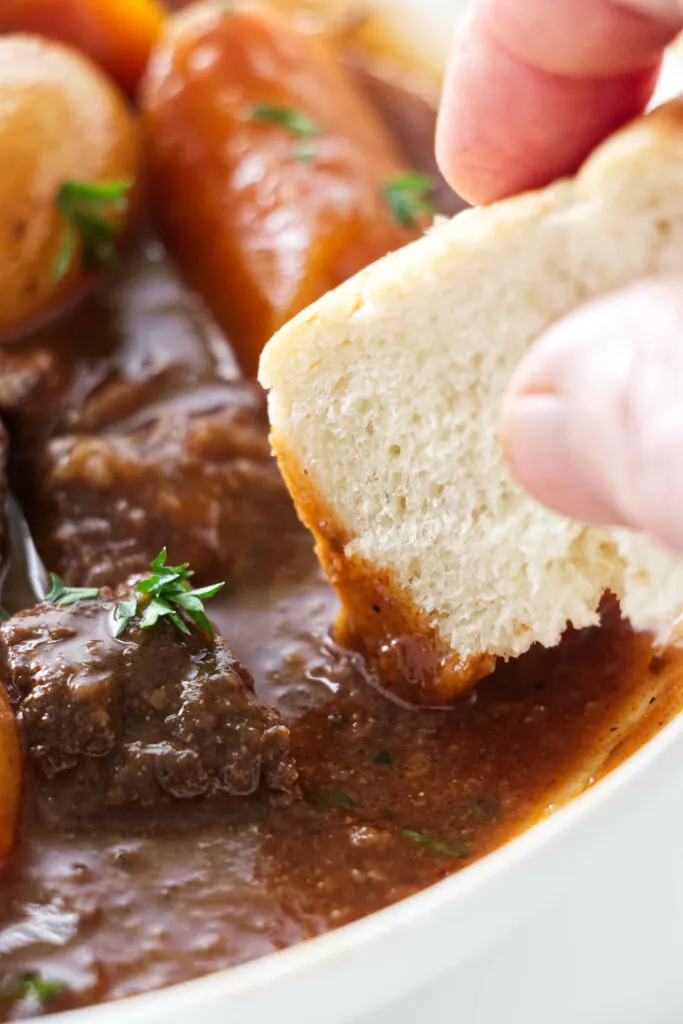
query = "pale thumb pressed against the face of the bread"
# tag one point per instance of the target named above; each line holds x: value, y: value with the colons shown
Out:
x: 593, y: 421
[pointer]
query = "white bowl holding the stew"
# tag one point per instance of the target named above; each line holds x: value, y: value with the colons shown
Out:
x: 580, y: 921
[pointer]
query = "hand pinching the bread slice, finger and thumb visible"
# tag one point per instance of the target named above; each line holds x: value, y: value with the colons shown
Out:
x: 593, y: 421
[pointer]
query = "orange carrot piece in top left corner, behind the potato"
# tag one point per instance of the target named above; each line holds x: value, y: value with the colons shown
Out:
x: 116, y: 34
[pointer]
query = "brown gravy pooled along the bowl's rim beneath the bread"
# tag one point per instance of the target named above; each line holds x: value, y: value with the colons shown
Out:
x: 143, y: 906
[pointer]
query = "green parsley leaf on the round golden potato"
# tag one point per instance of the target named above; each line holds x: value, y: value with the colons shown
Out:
x: 96, y: 212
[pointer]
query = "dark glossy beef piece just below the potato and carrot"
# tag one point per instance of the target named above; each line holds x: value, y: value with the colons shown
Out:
x: 141, y: 338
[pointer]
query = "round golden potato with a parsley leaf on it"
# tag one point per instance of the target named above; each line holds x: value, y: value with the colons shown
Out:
x: 61, y: 119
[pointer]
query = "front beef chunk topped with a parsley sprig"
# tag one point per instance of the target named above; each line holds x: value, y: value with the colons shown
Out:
x: 145, y: 719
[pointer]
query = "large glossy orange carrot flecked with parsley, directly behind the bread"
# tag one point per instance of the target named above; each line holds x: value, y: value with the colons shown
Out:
x: 258, y: 232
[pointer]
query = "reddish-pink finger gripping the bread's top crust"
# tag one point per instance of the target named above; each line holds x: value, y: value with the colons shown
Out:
x: 534, y: 87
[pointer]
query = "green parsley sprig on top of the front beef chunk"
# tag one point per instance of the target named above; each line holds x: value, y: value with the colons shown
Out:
x: 165, y: 594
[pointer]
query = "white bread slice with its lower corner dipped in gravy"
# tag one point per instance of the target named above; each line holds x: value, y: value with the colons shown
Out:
x: 385, y: 406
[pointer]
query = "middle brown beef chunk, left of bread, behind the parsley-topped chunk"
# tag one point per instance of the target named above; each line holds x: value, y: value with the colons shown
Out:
x: 204, y: 486
